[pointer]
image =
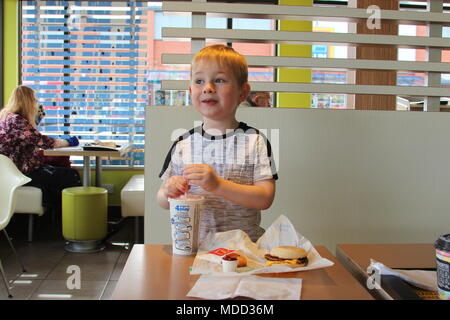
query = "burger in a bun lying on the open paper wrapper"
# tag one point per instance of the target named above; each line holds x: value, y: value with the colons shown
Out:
x: 290, y: 255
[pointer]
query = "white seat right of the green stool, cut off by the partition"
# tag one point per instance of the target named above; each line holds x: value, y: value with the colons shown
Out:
x: 132, y: 200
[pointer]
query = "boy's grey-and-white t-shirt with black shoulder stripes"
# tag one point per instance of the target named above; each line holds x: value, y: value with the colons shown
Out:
x: 242, y: 155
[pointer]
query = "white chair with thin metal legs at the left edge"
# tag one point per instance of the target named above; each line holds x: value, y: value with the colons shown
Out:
x: 12, y: 178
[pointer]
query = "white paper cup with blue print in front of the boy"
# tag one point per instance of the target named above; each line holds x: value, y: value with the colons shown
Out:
x: 184, y: 219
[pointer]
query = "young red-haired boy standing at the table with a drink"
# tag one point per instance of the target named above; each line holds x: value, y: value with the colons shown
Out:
x: 225, y: 161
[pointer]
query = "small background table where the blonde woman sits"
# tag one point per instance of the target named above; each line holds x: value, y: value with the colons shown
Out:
x: 87, y: 154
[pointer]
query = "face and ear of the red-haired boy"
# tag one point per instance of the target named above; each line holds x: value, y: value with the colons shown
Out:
x: 215, y: 92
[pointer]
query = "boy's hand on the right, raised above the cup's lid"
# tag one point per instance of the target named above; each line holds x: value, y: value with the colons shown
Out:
x: 202, y: 175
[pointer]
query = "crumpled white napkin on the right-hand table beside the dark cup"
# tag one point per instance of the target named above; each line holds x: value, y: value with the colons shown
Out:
x: 419, y: 278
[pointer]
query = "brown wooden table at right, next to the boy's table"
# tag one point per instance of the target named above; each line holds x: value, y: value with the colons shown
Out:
x: 356, y: 258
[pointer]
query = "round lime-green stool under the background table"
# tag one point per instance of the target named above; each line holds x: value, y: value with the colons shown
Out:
x: 84, y: 218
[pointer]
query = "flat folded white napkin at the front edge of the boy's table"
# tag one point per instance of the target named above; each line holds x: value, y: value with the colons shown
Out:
x: 259, y: 288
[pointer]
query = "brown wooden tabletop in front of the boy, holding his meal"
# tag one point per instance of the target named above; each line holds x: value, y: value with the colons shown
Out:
x: 153, y: 273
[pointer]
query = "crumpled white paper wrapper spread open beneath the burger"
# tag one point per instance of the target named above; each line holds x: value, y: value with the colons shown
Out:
x: 280, y: 233
